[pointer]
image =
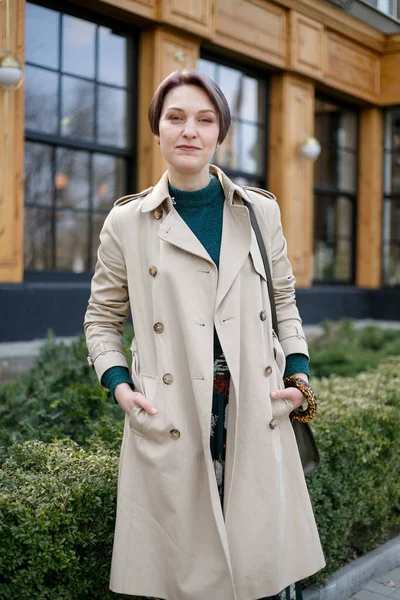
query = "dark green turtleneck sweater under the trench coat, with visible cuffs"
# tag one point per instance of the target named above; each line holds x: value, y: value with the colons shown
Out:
x: 202, y: 211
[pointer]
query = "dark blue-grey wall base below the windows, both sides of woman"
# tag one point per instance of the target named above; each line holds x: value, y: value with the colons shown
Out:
x: 29, y: 309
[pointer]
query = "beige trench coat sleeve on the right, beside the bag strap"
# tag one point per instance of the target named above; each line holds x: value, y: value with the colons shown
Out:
x: 291, y: 334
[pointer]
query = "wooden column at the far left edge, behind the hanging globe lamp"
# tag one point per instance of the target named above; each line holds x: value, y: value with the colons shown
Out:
x: 11, y: 152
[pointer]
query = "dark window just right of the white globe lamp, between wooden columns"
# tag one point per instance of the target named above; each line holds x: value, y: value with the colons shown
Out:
x: 335, y: 192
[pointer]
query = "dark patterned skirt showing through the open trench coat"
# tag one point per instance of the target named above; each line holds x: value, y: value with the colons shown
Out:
x: 218, y: 447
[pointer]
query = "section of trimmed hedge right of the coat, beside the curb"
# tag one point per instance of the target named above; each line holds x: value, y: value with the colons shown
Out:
x: 356, y: 490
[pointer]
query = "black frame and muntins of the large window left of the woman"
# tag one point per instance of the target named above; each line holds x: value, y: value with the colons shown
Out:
x: 54, y: 141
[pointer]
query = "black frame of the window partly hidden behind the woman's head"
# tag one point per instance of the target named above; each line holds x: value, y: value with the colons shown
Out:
x: 263, y: 76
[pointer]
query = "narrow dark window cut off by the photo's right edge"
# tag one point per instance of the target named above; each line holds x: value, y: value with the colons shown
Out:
x: 391, y: 206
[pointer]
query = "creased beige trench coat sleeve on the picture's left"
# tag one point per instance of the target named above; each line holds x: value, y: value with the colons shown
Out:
x: 108, y: 306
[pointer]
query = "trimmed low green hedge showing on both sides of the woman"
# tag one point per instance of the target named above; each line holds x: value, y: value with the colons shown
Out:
x: 57, y: 501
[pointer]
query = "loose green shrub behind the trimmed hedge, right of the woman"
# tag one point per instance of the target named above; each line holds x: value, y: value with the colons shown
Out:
x: 344, y: 349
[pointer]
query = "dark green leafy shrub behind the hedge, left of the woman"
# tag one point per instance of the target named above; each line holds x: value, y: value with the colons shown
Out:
x: 59, y: 398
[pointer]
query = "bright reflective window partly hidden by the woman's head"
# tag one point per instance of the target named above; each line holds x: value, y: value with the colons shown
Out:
x: 242, y: 156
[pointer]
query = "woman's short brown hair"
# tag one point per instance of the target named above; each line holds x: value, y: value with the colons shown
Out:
x: 190, y: 77
